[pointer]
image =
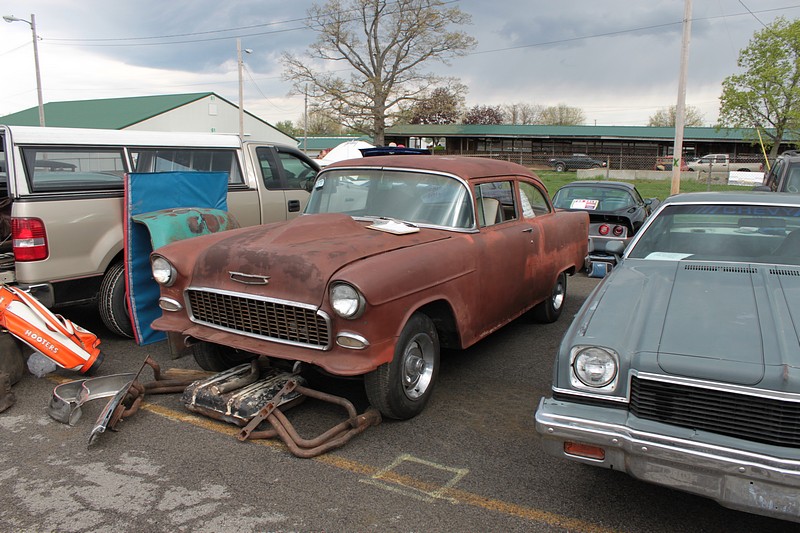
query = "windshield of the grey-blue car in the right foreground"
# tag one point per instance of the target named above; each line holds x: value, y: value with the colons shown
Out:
x: 741, y: 233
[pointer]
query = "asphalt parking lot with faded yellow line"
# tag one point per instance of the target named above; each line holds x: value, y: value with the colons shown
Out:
x: 470, y: 462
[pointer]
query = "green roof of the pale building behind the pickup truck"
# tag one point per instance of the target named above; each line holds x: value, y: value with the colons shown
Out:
x: 110, y: 113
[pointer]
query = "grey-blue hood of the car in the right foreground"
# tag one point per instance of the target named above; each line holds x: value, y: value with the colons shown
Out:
x: 724, y: 322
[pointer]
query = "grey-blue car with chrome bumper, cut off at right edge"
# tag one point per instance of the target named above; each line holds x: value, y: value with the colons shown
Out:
x: 681, y: 368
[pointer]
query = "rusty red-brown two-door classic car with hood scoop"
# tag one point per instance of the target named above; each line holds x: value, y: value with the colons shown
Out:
x: 394, y: 257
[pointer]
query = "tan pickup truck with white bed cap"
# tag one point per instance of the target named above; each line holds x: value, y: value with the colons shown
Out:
x: 61, y: 202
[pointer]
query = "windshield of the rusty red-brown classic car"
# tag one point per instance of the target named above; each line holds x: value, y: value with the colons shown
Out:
x: 411, y: 196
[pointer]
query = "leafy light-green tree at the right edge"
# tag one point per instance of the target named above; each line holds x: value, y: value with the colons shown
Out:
x: 766, y: 95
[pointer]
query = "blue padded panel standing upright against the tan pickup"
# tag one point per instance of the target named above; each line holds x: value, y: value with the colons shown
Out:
x: 146, y: 192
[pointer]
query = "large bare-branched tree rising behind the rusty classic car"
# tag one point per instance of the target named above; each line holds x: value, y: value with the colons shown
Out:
x: 385, y: 44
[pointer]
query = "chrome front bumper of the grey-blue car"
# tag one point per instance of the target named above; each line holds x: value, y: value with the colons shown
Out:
x: 756, y: 483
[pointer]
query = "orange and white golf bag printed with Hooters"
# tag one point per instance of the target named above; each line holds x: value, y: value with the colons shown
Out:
x: 57, y: 338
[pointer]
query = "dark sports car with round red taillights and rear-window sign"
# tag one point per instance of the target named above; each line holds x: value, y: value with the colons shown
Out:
x: 616, y: 212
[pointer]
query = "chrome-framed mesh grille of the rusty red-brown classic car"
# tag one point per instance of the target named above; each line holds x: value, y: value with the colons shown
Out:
x: 269, y: 319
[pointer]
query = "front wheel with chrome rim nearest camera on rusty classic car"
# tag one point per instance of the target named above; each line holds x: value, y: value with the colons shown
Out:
x: 400, y: 389
